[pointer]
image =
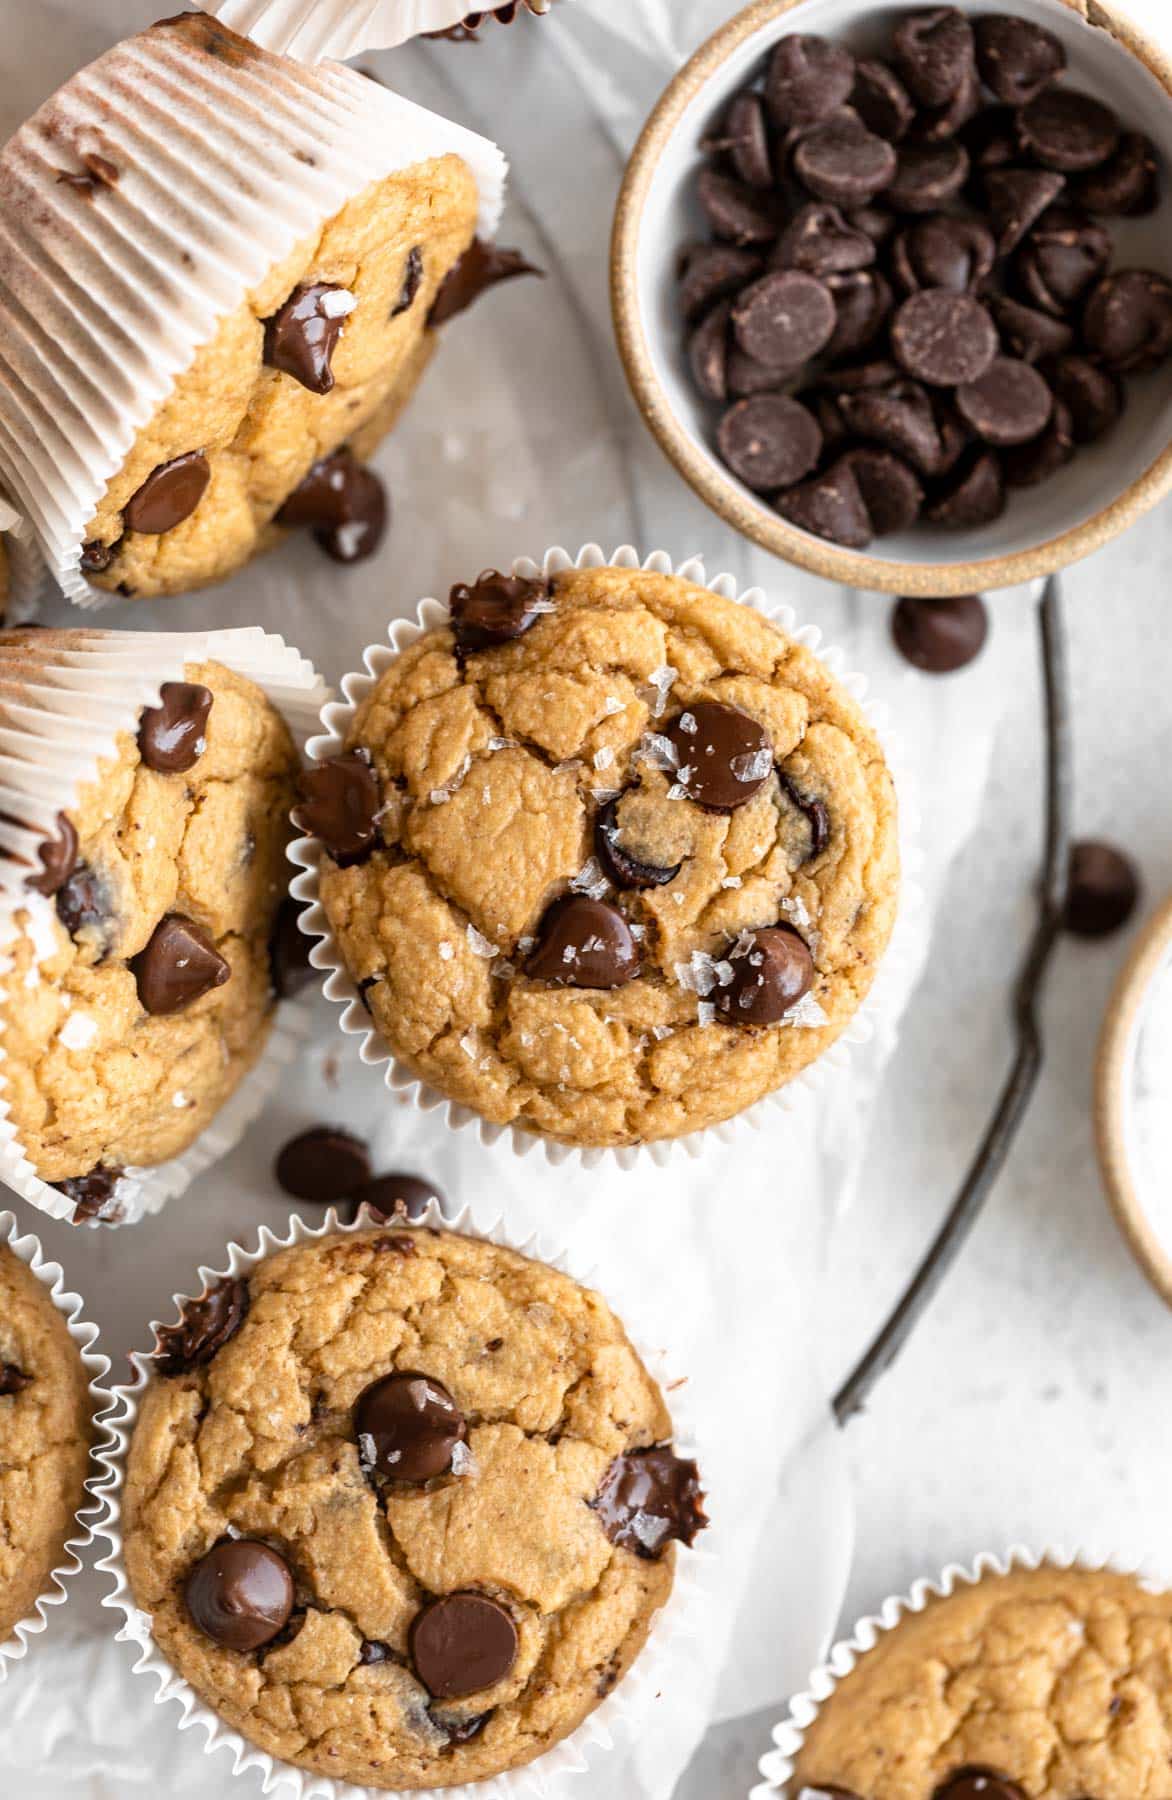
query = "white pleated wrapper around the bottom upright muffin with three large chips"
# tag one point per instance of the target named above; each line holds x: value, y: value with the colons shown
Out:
x: 676, y: 1633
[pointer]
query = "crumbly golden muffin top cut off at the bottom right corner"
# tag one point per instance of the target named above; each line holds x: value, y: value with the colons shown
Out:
x: 1049, y: 1686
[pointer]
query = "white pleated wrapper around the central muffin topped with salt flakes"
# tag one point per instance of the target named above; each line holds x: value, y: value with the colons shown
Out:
x: 795, y: 1097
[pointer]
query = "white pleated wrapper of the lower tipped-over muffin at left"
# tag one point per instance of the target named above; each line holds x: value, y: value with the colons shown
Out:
x: 59, y: 723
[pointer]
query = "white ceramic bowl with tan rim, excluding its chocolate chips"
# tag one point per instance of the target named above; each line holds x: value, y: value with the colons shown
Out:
x: 1106, y: 487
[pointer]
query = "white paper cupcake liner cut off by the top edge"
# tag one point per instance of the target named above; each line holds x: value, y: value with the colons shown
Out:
x: 314, y: 30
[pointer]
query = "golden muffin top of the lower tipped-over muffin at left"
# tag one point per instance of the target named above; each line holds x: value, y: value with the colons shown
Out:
x: 140, y: 985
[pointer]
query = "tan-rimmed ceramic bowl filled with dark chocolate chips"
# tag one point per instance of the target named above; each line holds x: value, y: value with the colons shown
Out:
x: 894, y: 285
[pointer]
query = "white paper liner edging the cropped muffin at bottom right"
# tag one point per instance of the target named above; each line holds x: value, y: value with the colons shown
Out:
x: 777, y: 1767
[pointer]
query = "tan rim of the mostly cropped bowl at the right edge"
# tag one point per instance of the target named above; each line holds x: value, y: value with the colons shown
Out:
x: 1110, y: 1102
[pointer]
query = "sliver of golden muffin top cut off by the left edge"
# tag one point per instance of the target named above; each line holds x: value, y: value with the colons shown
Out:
x: 44, y: 1439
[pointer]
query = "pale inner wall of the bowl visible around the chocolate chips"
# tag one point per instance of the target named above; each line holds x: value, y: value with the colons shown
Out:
x: 1036, y: 516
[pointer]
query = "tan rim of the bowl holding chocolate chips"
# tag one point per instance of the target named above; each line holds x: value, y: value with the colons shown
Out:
x: 753, y: 519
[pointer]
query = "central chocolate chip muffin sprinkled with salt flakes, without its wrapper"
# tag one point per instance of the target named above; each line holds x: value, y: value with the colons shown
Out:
x: 608, y: 856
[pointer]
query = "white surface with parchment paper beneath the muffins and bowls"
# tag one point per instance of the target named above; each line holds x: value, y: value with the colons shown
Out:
x: 1032, y: 1405
